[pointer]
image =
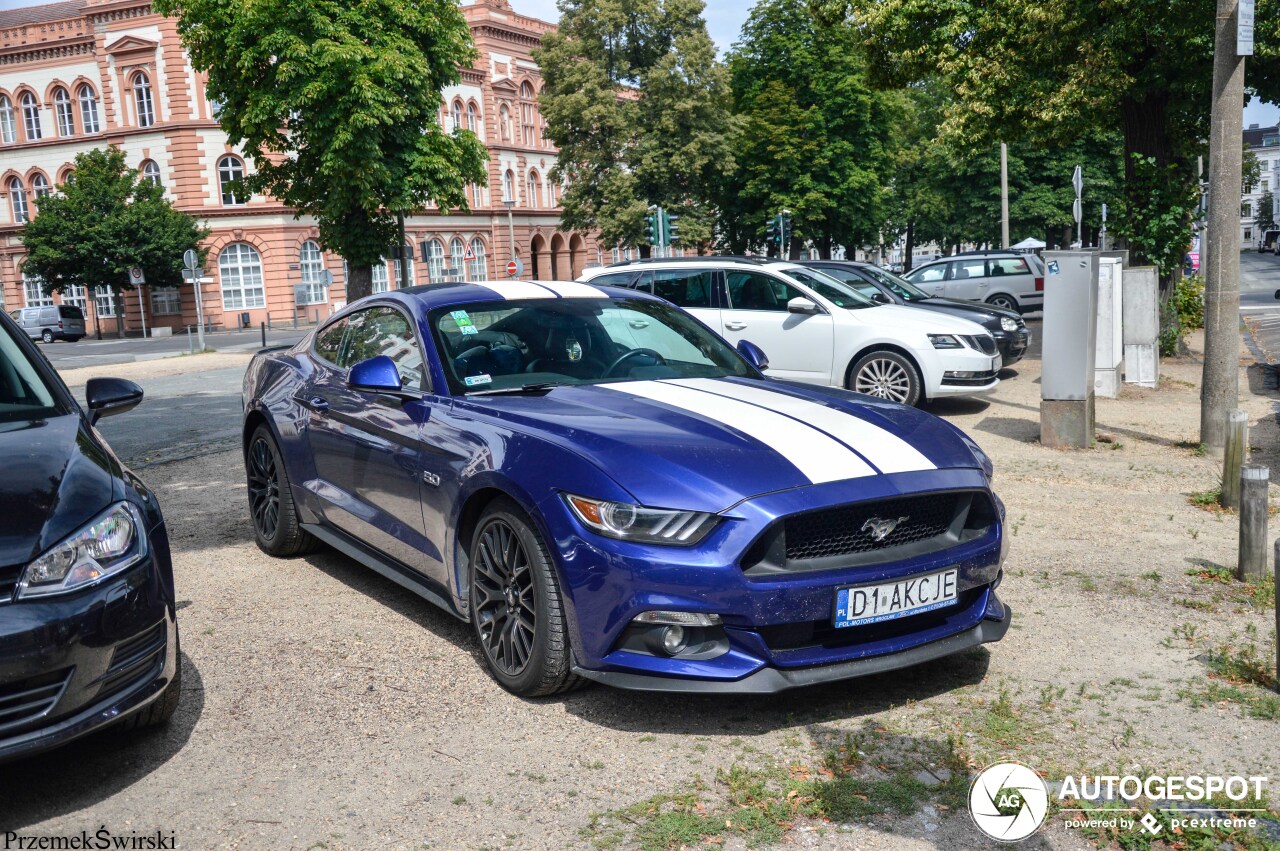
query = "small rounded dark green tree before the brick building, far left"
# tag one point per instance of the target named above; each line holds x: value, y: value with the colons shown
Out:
x: 103, y: 222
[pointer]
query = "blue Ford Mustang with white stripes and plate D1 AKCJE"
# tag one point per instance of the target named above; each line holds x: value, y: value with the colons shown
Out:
x: 607, y: 491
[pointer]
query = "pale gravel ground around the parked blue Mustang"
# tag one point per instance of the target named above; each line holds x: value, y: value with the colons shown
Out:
x: 327, y: 708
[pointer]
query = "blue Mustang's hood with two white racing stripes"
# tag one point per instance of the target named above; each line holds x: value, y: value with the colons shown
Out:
x: 707, y: 445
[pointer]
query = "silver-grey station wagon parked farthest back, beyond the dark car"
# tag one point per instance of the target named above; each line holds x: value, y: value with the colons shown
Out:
x: 999, y: 278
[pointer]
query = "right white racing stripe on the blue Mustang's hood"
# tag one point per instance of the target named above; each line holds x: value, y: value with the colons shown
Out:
x: 885, y: 450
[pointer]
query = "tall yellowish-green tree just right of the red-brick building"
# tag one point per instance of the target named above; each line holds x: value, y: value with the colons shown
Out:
x: 638, y: 107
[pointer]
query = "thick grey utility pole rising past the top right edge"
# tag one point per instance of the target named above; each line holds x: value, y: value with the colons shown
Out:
x: 1220, y: 386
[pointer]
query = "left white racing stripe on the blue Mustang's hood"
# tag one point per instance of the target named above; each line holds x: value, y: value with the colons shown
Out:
x: 816, y: 455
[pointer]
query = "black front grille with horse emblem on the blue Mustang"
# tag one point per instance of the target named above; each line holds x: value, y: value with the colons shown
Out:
x: 845, y: 536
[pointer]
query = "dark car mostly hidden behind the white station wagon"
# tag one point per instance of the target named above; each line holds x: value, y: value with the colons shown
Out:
x: 1005, y: 326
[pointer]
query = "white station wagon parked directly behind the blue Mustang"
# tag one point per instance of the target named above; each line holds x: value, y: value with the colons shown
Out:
x: 817, y: 331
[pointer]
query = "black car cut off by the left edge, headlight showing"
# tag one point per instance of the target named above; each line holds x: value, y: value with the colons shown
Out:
x: 88, y: 616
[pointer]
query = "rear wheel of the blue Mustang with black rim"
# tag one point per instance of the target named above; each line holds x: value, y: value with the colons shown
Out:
x: 271, y: 500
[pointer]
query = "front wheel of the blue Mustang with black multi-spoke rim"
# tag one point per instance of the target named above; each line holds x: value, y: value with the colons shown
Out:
x: 516, y: 606
